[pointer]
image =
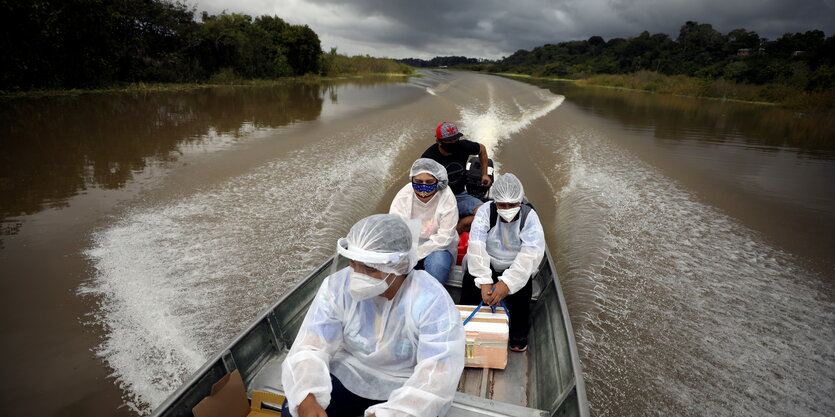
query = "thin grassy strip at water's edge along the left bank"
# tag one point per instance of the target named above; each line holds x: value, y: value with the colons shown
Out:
x: 142, y: 87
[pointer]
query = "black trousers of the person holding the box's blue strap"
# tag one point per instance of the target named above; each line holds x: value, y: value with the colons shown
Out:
x: 518, y: 304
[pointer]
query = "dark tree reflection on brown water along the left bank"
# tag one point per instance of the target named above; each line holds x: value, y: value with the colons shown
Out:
x: 54, y: 148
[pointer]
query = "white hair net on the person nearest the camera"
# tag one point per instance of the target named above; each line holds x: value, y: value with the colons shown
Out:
x: 381, y: 241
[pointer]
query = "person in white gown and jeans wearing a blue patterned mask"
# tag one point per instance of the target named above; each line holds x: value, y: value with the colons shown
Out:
x: 429, y: 200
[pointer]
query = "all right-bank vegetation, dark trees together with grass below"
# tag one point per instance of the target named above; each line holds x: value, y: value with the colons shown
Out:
x: 795, y: 70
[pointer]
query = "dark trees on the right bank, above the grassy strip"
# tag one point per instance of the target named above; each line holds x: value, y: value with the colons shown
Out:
x: 801, y: 60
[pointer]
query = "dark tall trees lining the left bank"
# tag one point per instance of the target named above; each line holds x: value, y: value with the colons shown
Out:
x: 95, y: 43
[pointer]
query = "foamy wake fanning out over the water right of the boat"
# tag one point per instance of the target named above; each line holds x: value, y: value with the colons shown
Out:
x: 693, y: 313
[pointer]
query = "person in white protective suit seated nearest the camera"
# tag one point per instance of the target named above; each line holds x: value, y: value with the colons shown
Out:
x: 380, y: 339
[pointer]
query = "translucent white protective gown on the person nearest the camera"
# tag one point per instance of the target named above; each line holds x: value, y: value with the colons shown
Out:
x: 408, y: 351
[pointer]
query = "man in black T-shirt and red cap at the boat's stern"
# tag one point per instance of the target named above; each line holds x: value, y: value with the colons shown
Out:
x: 452, y: 153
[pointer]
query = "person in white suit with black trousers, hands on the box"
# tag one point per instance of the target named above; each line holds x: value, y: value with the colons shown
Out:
x: 506, y: 246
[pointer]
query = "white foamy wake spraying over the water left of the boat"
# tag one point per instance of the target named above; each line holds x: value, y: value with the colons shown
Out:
x: 176, y: 282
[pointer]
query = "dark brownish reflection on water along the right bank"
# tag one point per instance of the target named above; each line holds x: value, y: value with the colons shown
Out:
x: 680, y: 118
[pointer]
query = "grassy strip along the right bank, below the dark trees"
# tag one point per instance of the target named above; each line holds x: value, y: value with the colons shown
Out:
x: 722, y: 89
